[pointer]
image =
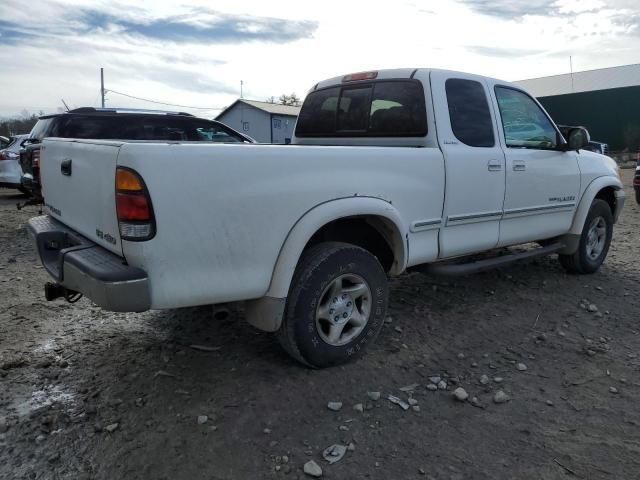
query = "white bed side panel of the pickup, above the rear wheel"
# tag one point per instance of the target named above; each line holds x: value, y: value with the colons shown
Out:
x: 223, y: 212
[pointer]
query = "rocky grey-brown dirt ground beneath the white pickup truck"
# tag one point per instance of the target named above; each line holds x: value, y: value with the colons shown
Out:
x: 87, y: 394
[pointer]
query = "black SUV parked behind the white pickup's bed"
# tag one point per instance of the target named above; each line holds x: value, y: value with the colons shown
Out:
x: 118, y: 124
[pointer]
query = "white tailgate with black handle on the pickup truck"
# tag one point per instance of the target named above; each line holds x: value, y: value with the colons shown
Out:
x: 78, y: 186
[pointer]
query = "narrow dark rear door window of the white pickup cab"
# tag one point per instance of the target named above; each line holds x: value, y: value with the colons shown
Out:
x: 469, y: 112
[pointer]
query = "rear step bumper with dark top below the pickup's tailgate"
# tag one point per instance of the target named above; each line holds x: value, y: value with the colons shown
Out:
x: 81, y: 265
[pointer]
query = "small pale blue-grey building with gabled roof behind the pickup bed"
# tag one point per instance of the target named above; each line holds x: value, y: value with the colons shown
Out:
x: 263, y: 121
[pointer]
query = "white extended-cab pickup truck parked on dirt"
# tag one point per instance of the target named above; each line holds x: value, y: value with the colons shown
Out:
x: 388, y: 170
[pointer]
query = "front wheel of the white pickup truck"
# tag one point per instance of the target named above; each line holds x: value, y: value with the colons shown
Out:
x: 591, y: 250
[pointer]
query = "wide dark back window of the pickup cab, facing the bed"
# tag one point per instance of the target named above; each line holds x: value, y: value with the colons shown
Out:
x: 372, y: 109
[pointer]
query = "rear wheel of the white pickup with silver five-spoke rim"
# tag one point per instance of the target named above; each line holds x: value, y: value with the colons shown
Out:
x: 341, y: 281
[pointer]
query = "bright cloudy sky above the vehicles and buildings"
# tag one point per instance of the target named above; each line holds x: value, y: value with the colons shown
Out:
x: 195, y: 53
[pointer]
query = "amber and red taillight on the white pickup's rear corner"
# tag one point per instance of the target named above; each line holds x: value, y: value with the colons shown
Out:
x: 133, y: 206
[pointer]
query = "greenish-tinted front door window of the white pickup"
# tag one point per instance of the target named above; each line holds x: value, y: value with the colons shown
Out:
x: 525, y: 123
